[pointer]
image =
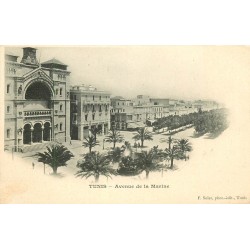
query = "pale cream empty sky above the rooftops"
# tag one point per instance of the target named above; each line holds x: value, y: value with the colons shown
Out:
x: 183, y: 72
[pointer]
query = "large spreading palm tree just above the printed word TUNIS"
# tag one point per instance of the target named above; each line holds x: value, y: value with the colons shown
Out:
x: 94, y: 164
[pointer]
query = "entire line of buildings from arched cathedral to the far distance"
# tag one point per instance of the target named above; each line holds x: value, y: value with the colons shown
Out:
x: 42, y: 106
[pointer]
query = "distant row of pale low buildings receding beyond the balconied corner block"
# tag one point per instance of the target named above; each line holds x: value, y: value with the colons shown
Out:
x: 129, y: 114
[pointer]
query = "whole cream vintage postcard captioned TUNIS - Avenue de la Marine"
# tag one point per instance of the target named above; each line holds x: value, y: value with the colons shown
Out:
x: 125, y: 124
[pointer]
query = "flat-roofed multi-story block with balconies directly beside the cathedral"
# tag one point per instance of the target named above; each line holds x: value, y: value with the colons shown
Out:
x: 90, y: 108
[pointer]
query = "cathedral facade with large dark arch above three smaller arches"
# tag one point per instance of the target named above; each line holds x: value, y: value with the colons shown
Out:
x: 37, y: 103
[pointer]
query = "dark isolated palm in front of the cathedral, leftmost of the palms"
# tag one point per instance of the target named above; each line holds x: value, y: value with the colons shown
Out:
x: 55, y: 156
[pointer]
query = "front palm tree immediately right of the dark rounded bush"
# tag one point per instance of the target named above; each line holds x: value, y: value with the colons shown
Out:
x: 148, y: 161
